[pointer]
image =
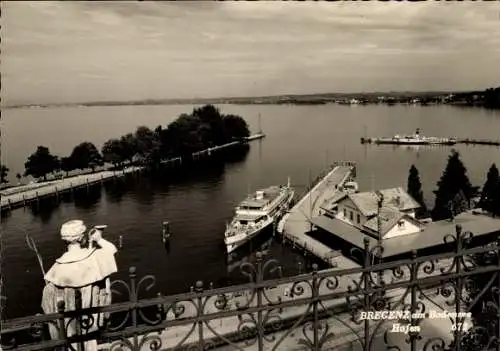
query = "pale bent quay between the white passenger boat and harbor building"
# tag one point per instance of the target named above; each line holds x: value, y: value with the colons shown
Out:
x: 295, y: 224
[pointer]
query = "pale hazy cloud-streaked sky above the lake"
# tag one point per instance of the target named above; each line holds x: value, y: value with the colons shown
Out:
x: 58, y: 52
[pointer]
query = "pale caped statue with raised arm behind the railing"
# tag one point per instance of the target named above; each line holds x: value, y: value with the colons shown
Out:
x: 80, y: 276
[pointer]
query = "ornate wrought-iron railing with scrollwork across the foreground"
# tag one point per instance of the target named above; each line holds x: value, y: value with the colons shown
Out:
x: 423, y: 303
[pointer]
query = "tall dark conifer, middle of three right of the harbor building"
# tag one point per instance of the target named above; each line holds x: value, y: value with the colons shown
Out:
x: 453, y: 180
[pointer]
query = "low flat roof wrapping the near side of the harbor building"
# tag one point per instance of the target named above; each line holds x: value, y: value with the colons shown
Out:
x: 432, y: 235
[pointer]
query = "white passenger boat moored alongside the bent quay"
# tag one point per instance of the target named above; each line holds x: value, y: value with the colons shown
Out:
x: 257, y: 213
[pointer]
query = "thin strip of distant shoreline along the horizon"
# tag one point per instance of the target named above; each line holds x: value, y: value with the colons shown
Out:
x: 468, y: 98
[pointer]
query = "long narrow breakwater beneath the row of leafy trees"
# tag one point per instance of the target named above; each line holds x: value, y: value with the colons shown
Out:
x: 22, y: 196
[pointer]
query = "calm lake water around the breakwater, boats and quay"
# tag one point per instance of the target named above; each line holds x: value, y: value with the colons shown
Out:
x: 300, y: 142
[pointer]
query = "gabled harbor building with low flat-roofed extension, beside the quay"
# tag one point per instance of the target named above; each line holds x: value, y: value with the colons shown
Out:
x: 387, y: 217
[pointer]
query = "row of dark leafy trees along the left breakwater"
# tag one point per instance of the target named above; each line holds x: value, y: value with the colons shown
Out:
x: 201, y: 129
